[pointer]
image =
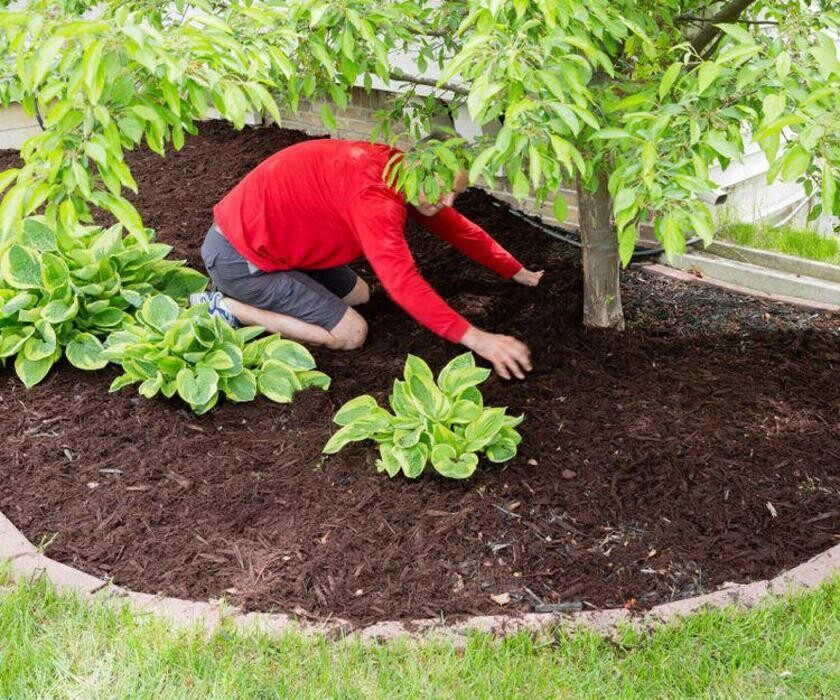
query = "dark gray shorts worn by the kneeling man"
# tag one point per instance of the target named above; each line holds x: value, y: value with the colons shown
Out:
x: 313, y: 296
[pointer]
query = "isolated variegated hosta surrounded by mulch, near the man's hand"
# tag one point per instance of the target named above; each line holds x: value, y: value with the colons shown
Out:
x: 443, y: 422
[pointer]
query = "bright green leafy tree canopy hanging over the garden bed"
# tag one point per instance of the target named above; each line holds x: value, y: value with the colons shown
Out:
x: 646, y: 95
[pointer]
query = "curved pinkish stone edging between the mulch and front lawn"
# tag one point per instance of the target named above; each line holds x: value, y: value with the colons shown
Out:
x: 27, y: 562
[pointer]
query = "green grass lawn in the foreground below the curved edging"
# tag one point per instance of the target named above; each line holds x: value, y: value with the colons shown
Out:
x: 54, y: 646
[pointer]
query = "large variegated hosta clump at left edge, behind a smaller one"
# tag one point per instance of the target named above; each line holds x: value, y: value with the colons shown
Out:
x: 59, y: 291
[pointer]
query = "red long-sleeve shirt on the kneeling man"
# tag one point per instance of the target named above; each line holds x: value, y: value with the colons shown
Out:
x: 323, y: 203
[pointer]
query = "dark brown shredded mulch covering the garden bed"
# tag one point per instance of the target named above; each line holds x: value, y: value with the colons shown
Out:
x: 700, y: 446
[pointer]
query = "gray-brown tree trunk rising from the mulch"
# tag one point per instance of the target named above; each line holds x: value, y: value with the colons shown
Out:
x: 601, y: 265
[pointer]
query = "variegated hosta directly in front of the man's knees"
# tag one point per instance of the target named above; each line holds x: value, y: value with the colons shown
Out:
x: 199, y: 357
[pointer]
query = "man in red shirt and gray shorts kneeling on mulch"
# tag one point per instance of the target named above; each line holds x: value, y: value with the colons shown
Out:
x: 281, y: 240
